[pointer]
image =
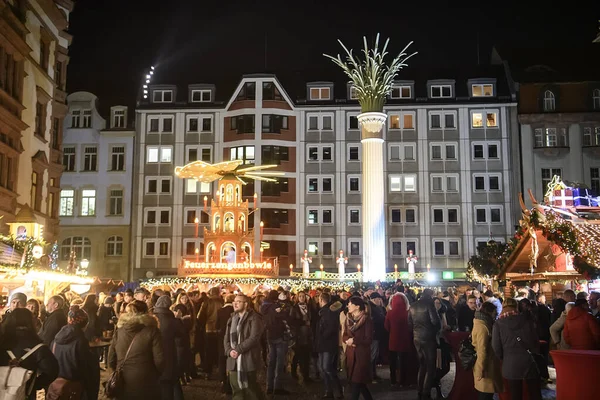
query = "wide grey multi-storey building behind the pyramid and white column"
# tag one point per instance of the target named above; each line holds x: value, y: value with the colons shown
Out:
x: 448, y: 166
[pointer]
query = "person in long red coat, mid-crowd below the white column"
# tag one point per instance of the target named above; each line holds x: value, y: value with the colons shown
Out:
x: 400, y: 343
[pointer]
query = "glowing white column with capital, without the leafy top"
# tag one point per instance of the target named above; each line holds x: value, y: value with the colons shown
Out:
x: 373, y: 201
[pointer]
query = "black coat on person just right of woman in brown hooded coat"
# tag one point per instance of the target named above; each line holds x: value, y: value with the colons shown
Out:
x: 172, y: 330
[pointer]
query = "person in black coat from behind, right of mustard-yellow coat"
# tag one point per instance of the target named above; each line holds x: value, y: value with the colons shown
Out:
x: 513, y: 335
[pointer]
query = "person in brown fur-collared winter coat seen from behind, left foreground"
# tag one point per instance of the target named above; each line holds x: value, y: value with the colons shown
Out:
x: 143, y: 367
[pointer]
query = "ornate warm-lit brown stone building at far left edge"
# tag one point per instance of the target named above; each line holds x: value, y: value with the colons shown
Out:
x: 33, y: 65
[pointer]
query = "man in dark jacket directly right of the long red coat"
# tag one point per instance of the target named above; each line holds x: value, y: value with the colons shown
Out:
x: 426, y: 324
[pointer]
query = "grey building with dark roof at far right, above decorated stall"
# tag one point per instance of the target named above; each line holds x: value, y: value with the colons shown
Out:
x: 560, y: 134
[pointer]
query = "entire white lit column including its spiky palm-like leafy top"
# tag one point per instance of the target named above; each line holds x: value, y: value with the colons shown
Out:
x: 372, y: 80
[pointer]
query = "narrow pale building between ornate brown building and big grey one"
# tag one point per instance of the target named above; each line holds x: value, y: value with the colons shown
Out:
x: 96, y: 187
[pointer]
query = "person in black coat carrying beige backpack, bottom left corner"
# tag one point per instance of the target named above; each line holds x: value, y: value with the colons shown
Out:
x: 18, y: 335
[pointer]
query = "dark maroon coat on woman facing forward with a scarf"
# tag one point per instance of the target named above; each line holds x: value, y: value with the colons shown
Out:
x: 358, y: 356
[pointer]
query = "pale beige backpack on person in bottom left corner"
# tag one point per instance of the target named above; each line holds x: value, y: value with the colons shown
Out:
x: 14, y: 379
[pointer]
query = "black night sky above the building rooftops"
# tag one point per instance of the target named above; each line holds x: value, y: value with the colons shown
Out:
x: 207, y: 41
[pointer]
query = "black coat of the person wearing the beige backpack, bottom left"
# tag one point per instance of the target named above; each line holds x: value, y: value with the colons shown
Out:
x: 42, y: 361
